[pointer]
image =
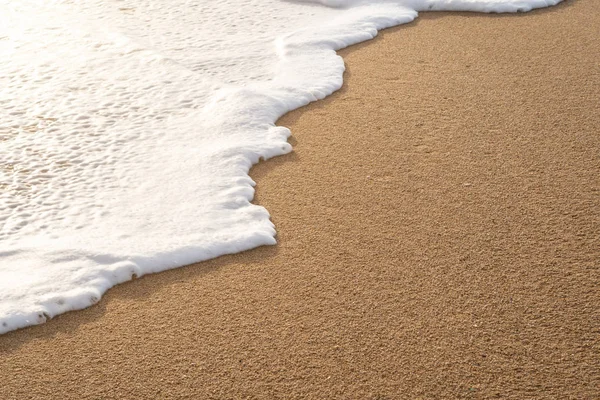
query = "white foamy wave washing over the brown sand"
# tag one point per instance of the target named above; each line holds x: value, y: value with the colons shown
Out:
x: 127, y: 130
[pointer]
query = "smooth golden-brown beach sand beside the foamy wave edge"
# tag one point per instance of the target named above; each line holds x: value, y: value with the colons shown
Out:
x: 439, y: 226
